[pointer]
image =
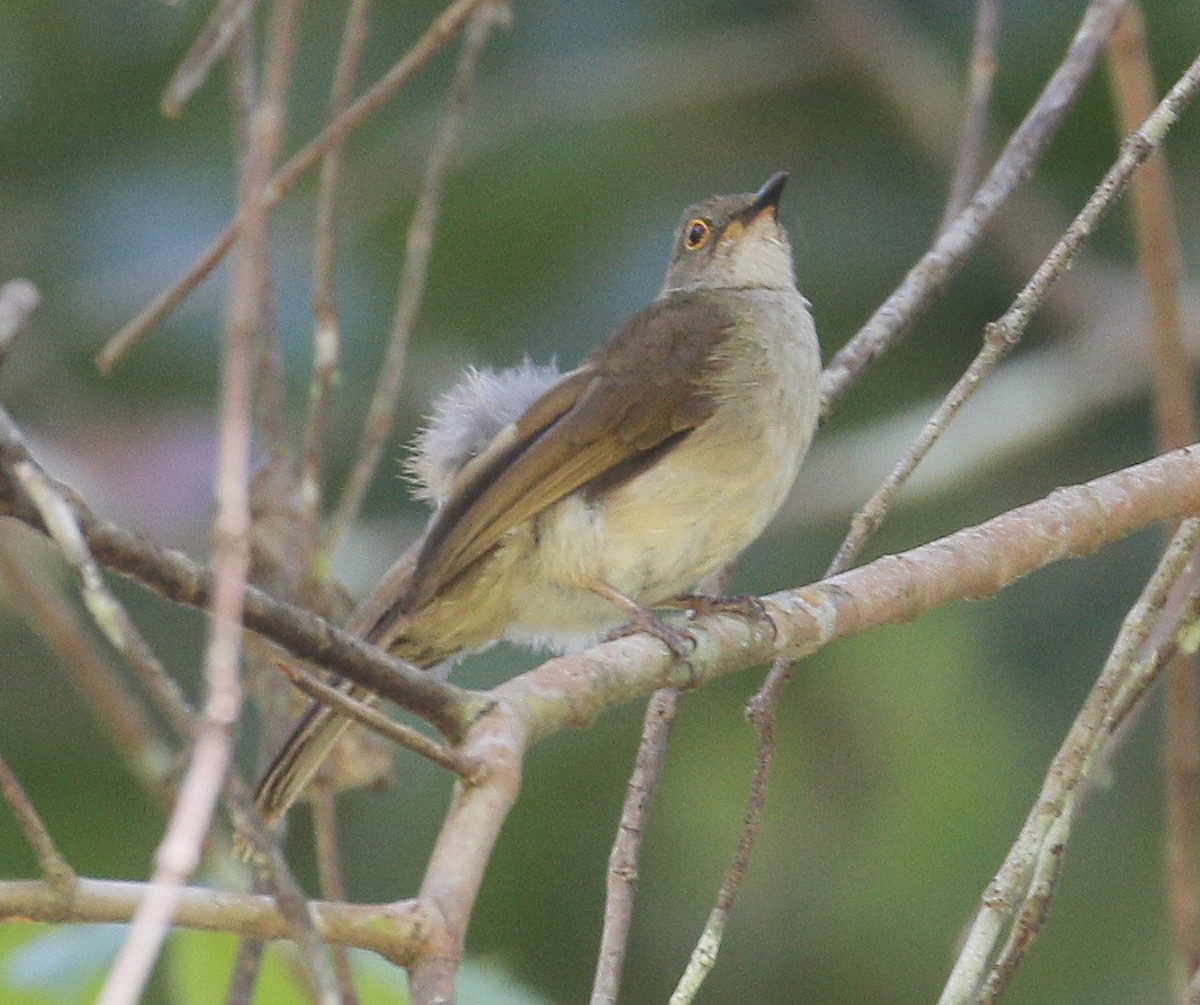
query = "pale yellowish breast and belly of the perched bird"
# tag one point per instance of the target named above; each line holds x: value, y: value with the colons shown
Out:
x: 705, y: 501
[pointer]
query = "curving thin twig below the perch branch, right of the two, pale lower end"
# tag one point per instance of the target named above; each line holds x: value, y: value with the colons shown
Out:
x: 761, y: 714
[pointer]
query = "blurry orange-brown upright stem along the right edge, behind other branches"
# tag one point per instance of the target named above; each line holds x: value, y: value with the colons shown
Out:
x: 1161, y: 263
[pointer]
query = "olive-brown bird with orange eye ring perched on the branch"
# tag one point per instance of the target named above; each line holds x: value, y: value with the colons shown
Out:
x: 569, y: 505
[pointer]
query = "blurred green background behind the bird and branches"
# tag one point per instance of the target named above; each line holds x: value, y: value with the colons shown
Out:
x: 908, y: 759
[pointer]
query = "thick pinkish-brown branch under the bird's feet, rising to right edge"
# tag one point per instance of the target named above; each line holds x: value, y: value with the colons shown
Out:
x: 974, y: 563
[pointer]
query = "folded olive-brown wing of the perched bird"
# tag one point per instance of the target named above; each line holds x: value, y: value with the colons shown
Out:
x: 626, y: 400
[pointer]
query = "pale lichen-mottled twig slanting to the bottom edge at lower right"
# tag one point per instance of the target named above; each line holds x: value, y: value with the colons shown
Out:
x: 1019, y: 895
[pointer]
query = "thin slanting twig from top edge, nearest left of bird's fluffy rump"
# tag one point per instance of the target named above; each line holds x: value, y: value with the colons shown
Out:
x: 418, y: 248
